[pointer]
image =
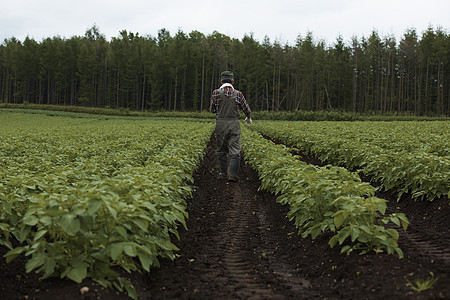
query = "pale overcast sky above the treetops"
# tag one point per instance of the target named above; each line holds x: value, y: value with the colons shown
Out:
x: 280, y: 20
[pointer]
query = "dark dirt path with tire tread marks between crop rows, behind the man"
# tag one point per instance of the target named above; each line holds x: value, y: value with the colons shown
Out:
x: 235, y: 241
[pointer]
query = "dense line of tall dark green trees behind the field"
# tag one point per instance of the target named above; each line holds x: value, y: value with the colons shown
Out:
x: 178, y: 72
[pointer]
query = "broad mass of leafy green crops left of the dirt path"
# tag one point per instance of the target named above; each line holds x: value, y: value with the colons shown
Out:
x: 79, y: 196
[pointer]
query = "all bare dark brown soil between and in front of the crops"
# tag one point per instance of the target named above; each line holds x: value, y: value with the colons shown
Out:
x: 240, y: 245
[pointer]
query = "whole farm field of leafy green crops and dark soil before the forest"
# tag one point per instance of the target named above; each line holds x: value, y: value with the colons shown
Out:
x: 238, y: 241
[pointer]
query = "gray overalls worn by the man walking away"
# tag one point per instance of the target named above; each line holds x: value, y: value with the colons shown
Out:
x: 228, y: 134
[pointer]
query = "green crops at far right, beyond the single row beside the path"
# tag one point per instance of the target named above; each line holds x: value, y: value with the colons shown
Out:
x: 407, y: 157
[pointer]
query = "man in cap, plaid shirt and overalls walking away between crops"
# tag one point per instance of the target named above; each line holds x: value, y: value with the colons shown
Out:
x: 225, y: 103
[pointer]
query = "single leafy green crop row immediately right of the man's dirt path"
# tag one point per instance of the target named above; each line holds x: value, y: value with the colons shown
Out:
x: 324, y: 198
